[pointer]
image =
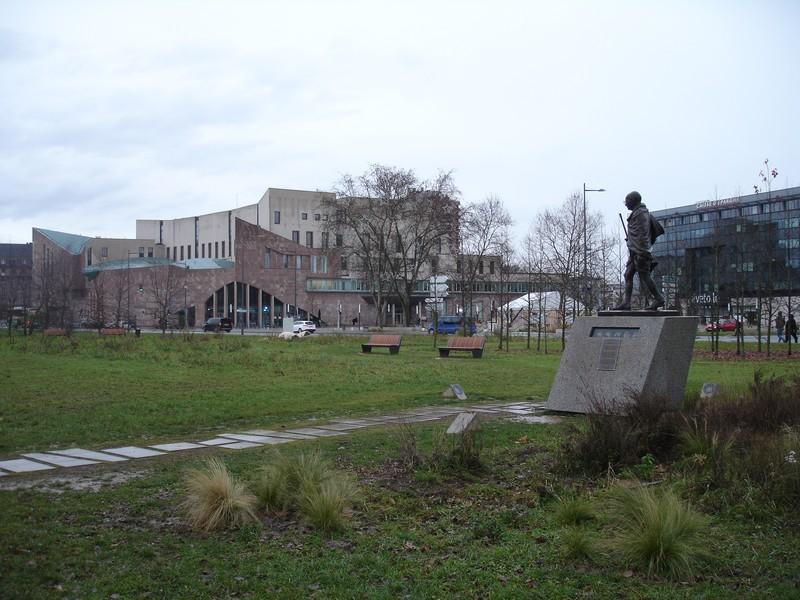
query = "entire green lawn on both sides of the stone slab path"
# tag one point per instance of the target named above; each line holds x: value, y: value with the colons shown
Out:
x: 415, y: 533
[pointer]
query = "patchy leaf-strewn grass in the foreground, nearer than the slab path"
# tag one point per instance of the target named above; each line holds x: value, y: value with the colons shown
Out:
x: 492, y: 536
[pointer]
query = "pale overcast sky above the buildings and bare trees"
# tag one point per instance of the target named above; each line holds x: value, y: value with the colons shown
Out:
x: 113, y: 111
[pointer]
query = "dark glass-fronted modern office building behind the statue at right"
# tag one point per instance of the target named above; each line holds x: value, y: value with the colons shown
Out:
x: 731, y: 256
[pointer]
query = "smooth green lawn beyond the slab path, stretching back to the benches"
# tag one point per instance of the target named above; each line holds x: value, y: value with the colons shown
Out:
x: 89, y: 391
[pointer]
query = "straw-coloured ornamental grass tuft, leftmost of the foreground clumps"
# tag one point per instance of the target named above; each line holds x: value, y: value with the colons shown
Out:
x: 215, y: 500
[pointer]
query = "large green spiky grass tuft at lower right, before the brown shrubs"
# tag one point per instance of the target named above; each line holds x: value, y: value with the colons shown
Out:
x: 656, y: 531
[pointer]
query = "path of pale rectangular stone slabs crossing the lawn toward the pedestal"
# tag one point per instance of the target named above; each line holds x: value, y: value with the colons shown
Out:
x: 255, y: 438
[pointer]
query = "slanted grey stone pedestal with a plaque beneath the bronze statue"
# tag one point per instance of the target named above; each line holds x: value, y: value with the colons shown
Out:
x: 613, y: 357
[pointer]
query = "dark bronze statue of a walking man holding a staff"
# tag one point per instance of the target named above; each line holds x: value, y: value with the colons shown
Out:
x: 642, y: 232
